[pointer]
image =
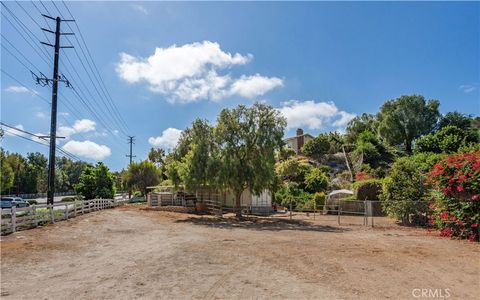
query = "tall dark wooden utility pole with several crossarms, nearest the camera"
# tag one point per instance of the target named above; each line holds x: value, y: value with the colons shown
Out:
x: 53, y: 121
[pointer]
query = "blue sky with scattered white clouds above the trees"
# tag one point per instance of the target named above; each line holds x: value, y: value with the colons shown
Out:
x: 165, y: 64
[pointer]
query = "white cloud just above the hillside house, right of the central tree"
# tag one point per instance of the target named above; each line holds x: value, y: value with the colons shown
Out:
x: 314, y: 115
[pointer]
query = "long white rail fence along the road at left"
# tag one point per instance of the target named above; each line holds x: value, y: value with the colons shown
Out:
x: 15, y: 219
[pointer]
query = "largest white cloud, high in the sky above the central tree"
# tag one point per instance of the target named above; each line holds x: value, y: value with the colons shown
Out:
x: 190, y: 73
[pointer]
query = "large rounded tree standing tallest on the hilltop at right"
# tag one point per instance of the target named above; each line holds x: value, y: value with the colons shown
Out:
x: 404, y: 119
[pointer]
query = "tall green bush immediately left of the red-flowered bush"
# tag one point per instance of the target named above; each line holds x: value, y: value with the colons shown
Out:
x: 403, y: 192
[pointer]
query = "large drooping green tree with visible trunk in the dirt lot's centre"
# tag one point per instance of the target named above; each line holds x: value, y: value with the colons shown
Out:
x: 247, y: 138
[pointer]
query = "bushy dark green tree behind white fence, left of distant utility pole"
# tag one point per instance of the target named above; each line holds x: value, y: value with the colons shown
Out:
x: 96, y: 182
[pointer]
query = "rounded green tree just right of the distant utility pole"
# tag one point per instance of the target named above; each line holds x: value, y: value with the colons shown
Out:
x: 141, y: 175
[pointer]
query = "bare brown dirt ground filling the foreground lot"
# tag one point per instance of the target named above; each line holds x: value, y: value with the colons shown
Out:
x: 128, y: 253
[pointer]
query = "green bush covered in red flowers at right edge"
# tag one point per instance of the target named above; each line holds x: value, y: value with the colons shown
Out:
x: 457, y: 209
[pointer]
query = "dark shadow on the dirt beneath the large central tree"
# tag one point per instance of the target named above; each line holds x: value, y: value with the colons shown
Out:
x: 260, y: 224
